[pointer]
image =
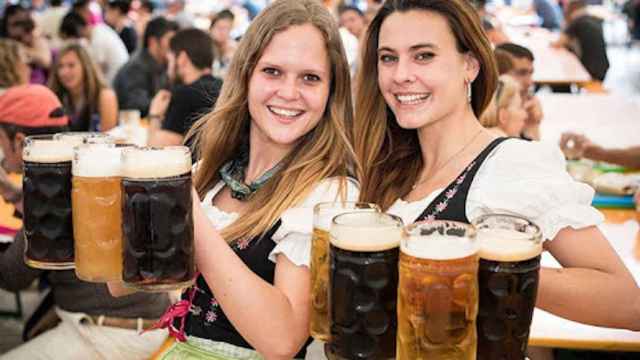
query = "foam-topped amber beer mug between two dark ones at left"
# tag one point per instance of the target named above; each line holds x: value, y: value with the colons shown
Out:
x: 96, y: 199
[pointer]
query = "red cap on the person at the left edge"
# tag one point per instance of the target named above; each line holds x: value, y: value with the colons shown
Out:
x: 31, y: 106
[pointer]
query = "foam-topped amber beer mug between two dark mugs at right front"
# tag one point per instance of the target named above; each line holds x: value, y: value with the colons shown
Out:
x: 438, y: 291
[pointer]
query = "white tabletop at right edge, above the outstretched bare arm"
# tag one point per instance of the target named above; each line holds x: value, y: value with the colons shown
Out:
x: 609, y: 120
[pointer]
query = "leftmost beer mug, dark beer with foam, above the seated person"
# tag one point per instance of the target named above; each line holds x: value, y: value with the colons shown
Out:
x: 46, y: 184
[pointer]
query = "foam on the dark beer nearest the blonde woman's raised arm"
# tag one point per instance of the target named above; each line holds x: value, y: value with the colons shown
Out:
x: 150, y: 163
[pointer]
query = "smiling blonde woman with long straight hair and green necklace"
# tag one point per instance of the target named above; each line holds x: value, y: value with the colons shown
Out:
x: 277, y: 143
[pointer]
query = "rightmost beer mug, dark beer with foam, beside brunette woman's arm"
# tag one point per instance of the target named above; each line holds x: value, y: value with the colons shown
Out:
x: 510, y: 249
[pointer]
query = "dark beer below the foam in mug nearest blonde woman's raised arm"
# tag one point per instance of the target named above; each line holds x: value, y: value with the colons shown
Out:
x: 158, y: 231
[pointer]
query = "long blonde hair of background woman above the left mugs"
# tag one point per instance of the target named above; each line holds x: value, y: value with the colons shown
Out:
x: 92, y: 82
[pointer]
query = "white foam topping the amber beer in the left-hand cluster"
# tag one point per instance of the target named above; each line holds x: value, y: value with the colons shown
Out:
x: 97, y: 161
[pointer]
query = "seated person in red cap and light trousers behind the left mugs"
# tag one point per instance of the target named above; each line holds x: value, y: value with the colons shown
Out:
x: 85, y: 322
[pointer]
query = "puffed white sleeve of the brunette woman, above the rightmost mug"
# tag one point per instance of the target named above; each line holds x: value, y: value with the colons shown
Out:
x: 529, y: 179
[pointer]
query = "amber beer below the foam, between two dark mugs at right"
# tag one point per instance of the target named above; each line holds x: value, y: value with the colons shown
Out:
x: 437, y: 308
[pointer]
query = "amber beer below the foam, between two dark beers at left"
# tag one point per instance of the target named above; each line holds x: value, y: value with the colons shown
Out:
x: 97, y: 228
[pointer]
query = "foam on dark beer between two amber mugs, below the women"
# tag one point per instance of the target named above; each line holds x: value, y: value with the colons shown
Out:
x: 368, y: 232
